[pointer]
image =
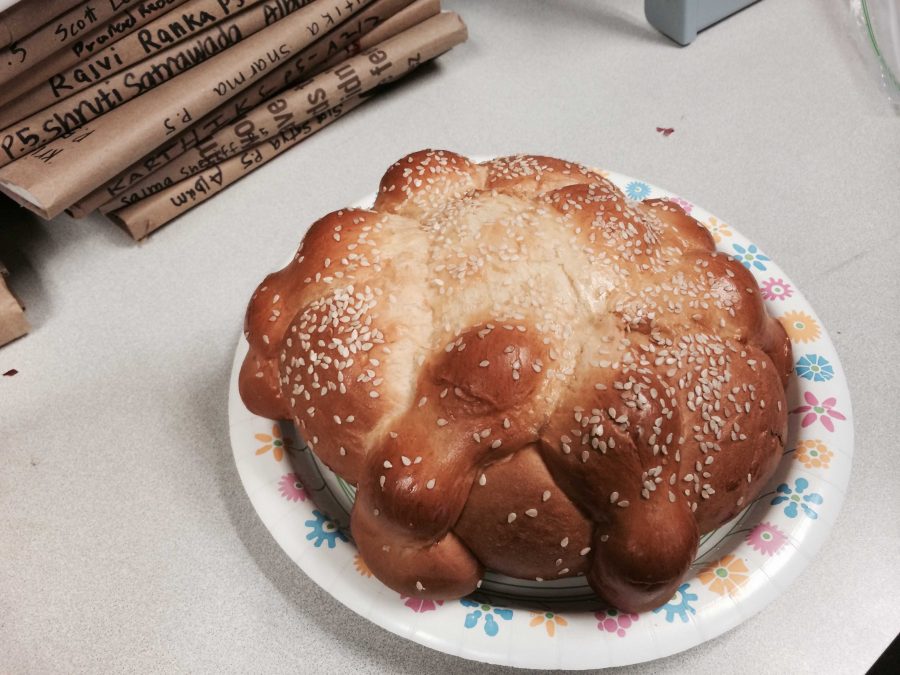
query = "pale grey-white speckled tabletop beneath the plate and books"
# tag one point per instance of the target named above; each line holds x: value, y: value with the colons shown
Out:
x: 128, y: 543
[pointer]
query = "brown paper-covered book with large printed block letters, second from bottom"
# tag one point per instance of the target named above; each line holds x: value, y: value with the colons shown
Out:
x: 386, y: 61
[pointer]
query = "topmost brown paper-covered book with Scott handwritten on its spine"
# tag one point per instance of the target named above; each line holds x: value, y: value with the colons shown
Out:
x: 53, y: 36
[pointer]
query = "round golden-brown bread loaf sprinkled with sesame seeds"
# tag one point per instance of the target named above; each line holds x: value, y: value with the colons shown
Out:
x: 524, y: 371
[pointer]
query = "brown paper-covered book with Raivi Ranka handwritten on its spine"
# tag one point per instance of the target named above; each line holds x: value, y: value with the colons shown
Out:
x: 135, y: 41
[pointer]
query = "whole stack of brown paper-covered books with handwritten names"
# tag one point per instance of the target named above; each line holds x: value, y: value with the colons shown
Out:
x: 142, y: 110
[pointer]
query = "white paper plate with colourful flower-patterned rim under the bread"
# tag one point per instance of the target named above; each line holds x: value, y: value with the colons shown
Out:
x: 740, y: 568
